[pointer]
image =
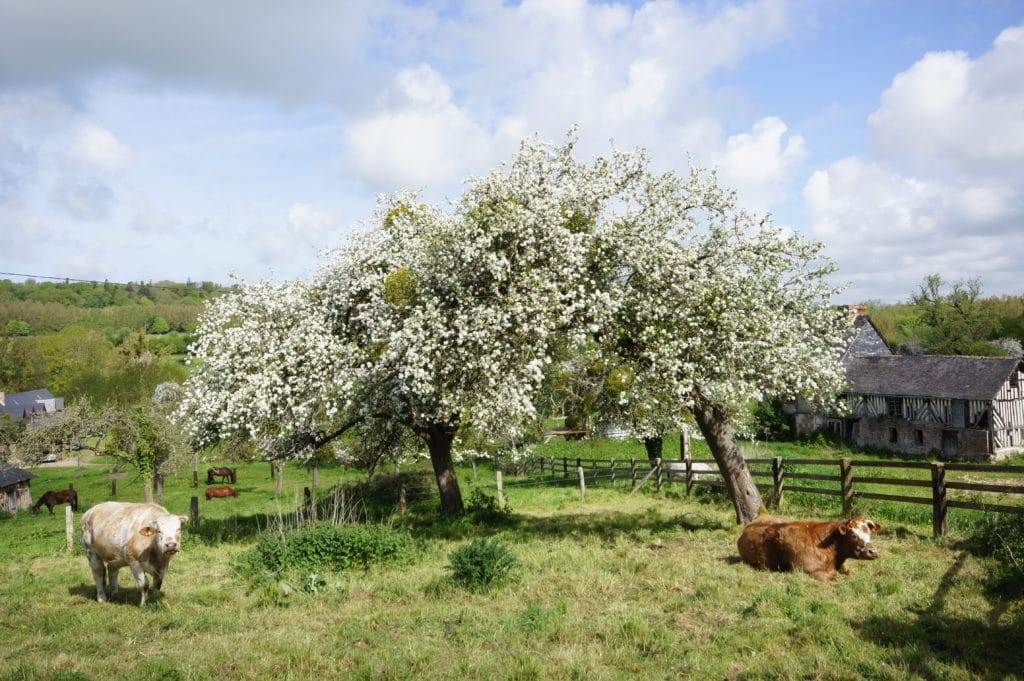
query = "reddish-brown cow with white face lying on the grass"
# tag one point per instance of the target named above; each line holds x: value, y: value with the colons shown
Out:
x: 820, y: 549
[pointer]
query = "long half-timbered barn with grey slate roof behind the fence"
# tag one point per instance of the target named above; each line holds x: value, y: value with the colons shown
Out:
x: 954, y: 407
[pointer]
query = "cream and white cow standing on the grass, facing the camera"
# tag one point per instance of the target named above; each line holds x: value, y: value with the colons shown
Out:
x: 144, y: 537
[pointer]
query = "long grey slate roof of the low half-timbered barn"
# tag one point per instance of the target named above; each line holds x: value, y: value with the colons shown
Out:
x: 930, y: 376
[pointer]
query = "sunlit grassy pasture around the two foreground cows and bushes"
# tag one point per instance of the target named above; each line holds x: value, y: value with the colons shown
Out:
x: 620, y: 587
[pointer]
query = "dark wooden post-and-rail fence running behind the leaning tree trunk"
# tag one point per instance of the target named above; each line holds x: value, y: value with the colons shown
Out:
x: 849, y: 481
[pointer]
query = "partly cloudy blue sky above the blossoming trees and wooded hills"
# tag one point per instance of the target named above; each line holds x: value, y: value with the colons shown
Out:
x: 194, y: 140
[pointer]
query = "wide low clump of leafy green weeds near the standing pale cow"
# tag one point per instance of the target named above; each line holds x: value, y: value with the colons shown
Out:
x: 328, y: 547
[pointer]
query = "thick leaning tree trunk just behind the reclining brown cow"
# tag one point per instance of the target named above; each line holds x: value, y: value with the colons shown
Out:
x: 714, y: 424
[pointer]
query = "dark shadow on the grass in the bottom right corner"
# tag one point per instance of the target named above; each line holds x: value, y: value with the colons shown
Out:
x: 929, y: 642
